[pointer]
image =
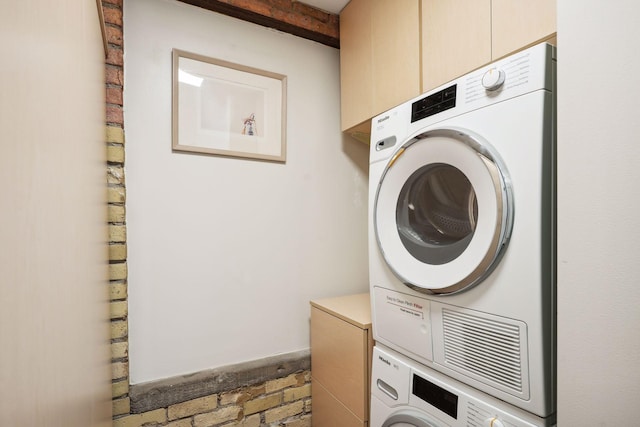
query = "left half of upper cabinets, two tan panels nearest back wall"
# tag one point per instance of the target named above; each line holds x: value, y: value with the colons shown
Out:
x: 379, y: 57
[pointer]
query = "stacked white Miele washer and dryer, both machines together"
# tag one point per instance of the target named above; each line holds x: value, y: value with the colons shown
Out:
x: 462, y: 250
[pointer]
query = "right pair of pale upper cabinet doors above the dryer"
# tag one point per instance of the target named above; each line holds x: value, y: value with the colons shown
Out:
x: 460, y: 36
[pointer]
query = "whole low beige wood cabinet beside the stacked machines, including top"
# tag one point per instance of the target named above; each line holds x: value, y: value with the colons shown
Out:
x: 341, y: 347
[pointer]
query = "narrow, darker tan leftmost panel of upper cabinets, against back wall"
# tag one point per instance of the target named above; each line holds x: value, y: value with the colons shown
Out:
x: 356, y: 78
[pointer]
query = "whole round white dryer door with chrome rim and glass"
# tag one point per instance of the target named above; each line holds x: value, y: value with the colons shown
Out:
x: 443, y: 211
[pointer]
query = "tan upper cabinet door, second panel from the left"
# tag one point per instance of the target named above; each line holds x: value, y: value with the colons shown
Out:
x: 395, y: 52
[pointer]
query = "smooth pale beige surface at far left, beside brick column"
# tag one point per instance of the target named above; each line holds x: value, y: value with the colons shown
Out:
x: 55, y: 361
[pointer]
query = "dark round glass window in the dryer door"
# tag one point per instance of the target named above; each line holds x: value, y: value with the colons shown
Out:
x: 436, y: 214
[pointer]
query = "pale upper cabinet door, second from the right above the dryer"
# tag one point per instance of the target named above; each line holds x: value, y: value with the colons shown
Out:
x: 456, y: 38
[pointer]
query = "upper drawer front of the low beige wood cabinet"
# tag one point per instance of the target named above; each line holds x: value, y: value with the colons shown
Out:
x: 339, y: 360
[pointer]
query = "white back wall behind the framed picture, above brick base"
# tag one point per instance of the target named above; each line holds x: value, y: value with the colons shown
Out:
x: 225, y: 254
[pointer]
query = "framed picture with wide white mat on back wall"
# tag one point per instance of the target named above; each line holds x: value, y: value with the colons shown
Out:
x: 227, y: 109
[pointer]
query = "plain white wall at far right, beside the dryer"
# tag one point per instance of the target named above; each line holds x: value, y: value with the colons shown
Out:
x: 598, y: 205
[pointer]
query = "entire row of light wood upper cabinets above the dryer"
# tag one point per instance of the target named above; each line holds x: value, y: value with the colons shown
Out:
x: 391, y: 51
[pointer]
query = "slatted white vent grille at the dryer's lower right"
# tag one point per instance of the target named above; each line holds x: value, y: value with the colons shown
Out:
x: 487, y: 349
